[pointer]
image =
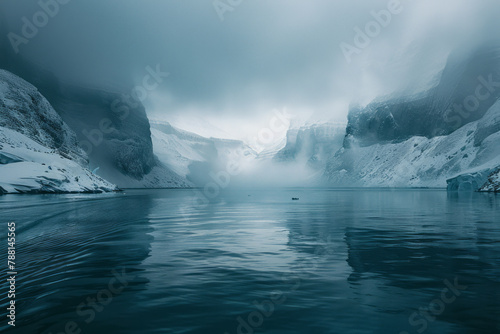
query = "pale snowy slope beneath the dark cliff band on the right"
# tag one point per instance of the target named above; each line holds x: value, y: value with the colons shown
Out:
x: 419, y: 161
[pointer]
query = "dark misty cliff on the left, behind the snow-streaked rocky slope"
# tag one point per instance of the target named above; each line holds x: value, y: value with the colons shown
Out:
x: 111, y: 128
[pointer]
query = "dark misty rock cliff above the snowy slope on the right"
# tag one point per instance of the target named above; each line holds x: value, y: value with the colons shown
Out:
x: 469, y: 86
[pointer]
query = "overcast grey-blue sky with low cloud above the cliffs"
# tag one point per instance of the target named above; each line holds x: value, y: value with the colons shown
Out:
x: 263, y: 55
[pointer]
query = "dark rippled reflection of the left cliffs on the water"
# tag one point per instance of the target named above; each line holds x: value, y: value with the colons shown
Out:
x: 68, y: 247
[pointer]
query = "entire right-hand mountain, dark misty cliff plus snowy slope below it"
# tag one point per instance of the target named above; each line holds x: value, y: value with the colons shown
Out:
x: 424, y: 142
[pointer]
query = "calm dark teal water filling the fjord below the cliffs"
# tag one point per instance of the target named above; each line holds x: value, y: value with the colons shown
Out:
x: 336, y: 261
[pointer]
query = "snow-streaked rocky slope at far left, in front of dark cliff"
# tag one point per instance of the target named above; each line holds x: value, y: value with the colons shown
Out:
x: 38, y: 151
